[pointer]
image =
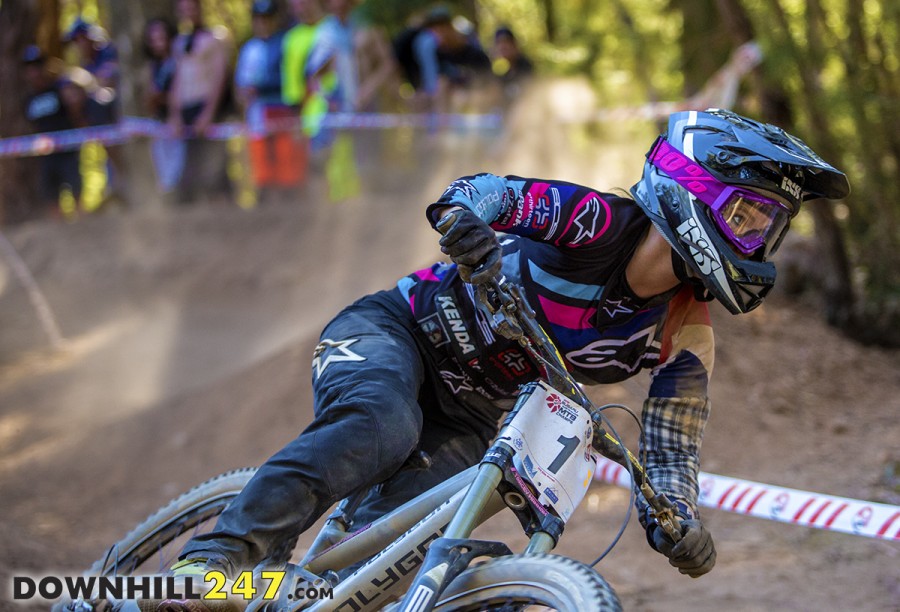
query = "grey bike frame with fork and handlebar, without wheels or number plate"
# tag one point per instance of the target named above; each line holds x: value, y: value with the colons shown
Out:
x: 425, y: 542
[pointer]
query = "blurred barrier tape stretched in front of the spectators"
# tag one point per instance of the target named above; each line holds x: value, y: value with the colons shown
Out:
x: 132, y: 127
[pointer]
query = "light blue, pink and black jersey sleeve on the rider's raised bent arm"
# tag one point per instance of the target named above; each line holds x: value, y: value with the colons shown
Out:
x: 567, y: 215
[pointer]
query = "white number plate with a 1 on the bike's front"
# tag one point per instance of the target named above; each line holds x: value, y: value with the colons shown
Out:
x: 551, y: 436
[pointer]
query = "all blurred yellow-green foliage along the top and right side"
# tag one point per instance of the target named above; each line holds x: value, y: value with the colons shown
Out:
x: 837, y: 61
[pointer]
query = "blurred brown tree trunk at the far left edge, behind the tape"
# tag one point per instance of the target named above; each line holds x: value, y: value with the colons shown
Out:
x: 18, y: 176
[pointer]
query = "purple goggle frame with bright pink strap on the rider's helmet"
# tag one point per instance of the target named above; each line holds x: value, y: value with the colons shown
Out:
x: 721, y: 197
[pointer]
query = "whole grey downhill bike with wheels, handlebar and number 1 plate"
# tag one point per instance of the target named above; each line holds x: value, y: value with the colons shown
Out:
x: 421, y: 555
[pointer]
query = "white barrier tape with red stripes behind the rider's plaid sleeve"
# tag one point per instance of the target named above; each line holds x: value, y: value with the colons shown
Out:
x: 864, y: 518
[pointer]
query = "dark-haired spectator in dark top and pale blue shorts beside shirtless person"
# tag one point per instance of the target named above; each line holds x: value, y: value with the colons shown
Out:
x: 168, y: 153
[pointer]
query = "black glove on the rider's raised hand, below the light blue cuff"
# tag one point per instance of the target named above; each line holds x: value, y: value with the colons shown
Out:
x: 471, y: 244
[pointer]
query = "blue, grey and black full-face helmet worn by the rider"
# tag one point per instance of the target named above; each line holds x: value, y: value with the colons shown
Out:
x: 722, y: 189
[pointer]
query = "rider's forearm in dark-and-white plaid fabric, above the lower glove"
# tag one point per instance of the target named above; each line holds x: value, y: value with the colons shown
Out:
x: 673, y: 431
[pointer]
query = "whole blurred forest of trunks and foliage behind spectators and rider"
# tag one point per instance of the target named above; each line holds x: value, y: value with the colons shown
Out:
x: 830, y: 74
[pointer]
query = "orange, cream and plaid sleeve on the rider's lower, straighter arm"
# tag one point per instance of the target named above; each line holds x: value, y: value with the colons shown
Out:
x: 677, y: 409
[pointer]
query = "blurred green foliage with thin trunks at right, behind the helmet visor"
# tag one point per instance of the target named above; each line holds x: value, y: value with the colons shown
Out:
x: 839, y: 60
